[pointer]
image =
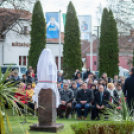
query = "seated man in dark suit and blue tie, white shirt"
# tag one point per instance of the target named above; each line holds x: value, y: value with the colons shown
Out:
x: 101, y: 100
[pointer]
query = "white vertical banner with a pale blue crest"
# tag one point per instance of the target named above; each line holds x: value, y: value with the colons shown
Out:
x: 85, y: 26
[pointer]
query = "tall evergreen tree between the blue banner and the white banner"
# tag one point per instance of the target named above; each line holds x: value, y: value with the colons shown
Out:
x: 72, y: 47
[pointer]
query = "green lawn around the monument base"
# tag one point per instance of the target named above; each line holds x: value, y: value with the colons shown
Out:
x: 17, y: 127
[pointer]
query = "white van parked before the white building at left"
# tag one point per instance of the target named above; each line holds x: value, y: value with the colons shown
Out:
x: 21, y: 69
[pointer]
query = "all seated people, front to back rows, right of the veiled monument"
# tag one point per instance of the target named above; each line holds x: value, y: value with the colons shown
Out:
x: 86, y: 93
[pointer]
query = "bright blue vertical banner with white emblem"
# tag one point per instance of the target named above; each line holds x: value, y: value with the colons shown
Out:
x: 52, y: 21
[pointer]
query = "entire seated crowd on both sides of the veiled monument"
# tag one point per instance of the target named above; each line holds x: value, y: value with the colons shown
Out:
x: 82, y: 95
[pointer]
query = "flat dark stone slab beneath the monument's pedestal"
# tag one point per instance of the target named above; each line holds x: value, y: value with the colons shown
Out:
x: 53, y: 128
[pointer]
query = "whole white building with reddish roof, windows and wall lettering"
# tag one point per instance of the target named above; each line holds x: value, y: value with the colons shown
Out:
x: 15, y: 44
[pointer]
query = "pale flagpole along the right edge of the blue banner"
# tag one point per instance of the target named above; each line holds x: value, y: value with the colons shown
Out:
x: 59, y: 59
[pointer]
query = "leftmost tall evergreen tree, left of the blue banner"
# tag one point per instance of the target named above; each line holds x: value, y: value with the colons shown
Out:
x: 38, y: 34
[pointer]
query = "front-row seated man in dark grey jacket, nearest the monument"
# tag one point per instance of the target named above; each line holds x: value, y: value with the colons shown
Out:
x: 66, y: 99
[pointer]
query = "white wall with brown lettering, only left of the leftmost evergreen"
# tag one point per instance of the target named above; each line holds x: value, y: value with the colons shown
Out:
x: 12, y: 53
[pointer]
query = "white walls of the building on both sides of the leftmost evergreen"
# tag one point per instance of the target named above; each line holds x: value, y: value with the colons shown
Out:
x: 12, y: 53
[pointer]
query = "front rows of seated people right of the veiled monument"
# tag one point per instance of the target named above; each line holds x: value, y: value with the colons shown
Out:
x: 97, y: 97
